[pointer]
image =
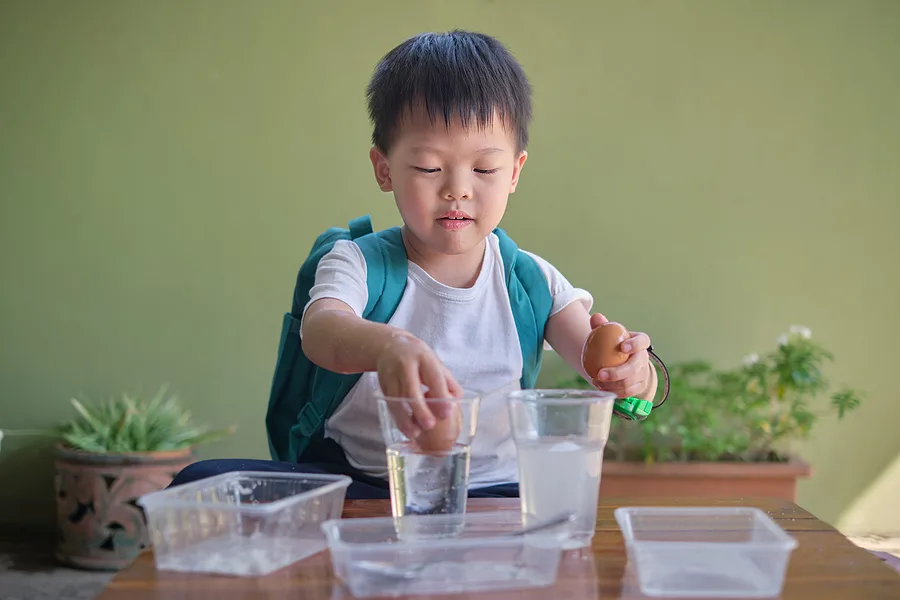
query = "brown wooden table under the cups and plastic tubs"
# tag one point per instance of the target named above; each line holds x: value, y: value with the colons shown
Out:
x: 825, y: 565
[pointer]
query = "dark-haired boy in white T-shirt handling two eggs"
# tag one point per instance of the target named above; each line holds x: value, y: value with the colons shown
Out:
x: 451, y: 114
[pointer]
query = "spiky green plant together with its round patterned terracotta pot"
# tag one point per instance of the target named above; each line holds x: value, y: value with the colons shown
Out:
x: 107, y: 456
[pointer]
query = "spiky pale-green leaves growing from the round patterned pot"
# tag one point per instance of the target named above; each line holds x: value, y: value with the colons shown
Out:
x: 128, y: 424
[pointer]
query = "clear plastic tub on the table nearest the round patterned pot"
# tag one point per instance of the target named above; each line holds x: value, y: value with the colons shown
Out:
x: 242, y: 523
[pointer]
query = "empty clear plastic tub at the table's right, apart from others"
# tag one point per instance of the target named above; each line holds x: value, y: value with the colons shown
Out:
x: 733, y: 552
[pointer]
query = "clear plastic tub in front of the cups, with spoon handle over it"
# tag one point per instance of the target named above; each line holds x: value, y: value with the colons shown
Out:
x: 372, y: 559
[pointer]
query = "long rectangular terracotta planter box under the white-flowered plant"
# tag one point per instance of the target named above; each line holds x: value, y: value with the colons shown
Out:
x: 715, y: 479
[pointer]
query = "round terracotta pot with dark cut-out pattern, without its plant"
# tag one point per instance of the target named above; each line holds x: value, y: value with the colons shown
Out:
x: 100, y: 525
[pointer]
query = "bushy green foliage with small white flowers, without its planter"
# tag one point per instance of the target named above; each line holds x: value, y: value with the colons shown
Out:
x: 751, y: 412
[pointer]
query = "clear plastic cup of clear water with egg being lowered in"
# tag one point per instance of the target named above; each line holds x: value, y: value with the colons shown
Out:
x: 428, y: 474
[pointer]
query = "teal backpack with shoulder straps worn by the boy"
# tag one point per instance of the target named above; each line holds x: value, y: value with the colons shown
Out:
x: 303, y: 395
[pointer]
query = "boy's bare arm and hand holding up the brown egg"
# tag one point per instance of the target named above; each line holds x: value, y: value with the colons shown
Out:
x: 567, y: 331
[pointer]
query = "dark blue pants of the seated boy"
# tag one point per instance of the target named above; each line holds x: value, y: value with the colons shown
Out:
x: 329, y: 459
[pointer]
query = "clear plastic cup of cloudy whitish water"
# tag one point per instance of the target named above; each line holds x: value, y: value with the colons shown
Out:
x: 560, y: 437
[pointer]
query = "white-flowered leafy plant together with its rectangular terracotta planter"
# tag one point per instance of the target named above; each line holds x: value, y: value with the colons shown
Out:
x: 728, y: 431
